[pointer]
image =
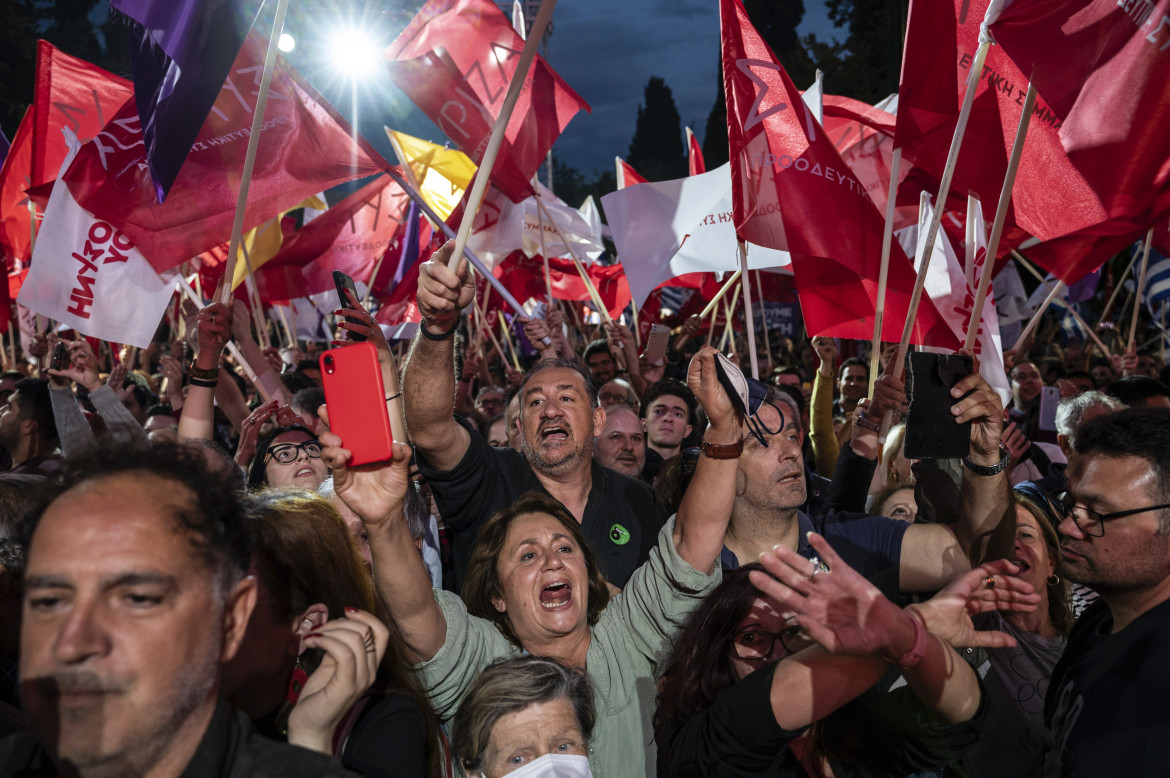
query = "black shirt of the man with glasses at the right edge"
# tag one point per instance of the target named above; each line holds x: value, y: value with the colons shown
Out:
x: 1109, y: 705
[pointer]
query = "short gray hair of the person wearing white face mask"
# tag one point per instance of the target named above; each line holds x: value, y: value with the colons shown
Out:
x: 513, y: 685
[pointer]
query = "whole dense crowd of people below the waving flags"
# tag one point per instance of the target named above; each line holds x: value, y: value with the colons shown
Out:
x: 580, y: 564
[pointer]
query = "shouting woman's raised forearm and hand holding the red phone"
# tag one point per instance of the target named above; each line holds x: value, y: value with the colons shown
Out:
x: 377, y: 494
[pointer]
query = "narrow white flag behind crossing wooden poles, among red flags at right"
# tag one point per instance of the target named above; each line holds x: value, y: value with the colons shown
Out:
x: 947, y: 286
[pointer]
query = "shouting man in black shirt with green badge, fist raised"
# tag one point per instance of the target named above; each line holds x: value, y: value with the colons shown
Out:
x: 560, y: 417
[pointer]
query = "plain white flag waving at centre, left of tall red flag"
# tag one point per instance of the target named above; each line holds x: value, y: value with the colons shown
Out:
x: 666, y: 229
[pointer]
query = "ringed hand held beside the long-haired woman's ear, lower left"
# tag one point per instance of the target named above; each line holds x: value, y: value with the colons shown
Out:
x: 354, y: 649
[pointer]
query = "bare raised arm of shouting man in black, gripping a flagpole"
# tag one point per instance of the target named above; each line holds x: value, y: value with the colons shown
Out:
x: 429, y: 378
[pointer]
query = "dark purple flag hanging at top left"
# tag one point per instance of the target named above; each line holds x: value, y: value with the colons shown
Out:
x: 182, y: 52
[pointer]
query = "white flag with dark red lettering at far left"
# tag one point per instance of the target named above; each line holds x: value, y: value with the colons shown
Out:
x: 88, y: 276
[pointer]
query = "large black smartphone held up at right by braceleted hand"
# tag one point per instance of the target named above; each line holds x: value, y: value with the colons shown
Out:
x: 931, y: 429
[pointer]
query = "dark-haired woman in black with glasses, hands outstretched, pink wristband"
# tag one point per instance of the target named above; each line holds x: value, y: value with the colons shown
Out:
x: 749, y: 692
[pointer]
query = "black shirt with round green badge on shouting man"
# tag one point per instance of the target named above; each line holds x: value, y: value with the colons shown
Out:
x: 622, y: 521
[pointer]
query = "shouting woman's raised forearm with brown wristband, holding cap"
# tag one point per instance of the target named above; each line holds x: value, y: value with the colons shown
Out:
x: 706, y: 510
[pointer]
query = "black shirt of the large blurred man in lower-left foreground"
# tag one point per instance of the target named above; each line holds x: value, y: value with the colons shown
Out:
x: 230, y: 749
